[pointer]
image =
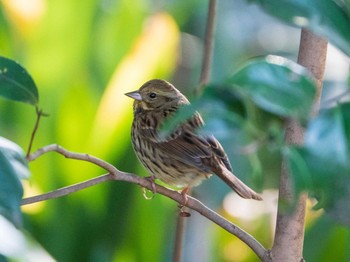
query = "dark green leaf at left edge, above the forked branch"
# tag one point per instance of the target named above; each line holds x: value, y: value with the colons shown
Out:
x: 16, y: 84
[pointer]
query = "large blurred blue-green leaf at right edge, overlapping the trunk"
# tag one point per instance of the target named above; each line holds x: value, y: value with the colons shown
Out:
x: 322, y: 165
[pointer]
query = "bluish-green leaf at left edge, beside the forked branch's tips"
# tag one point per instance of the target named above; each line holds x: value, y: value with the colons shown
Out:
x: 13, y: 166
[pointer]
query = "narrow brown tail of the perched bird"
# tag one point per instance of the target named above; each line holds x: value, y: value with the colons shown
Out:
x: 237, y: 185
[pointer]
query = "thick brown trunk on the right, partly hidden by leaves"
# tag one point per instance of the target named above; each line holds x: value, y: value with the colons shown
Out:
x: 289, y: 235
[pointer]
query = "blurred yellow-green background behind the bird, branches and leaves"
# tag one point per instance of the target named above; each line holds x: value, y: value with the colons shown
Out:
x: 84, y: 55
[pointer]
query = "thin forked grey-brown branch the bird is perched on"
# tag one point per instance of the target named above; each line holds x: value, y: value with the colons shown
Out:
x: 115, y: 174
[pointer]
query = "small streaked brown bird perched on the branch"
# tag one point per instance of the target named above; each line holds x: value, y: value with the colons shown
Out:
x: 184, y: 158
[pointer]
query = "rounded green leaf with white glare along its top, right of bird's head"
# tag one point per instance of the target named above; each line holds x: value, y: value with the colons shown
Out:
x: 277, y: 85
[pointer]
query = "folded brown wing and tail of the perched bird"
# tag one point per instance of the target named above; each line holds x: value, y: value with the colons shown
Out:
x: 202, y: 152
